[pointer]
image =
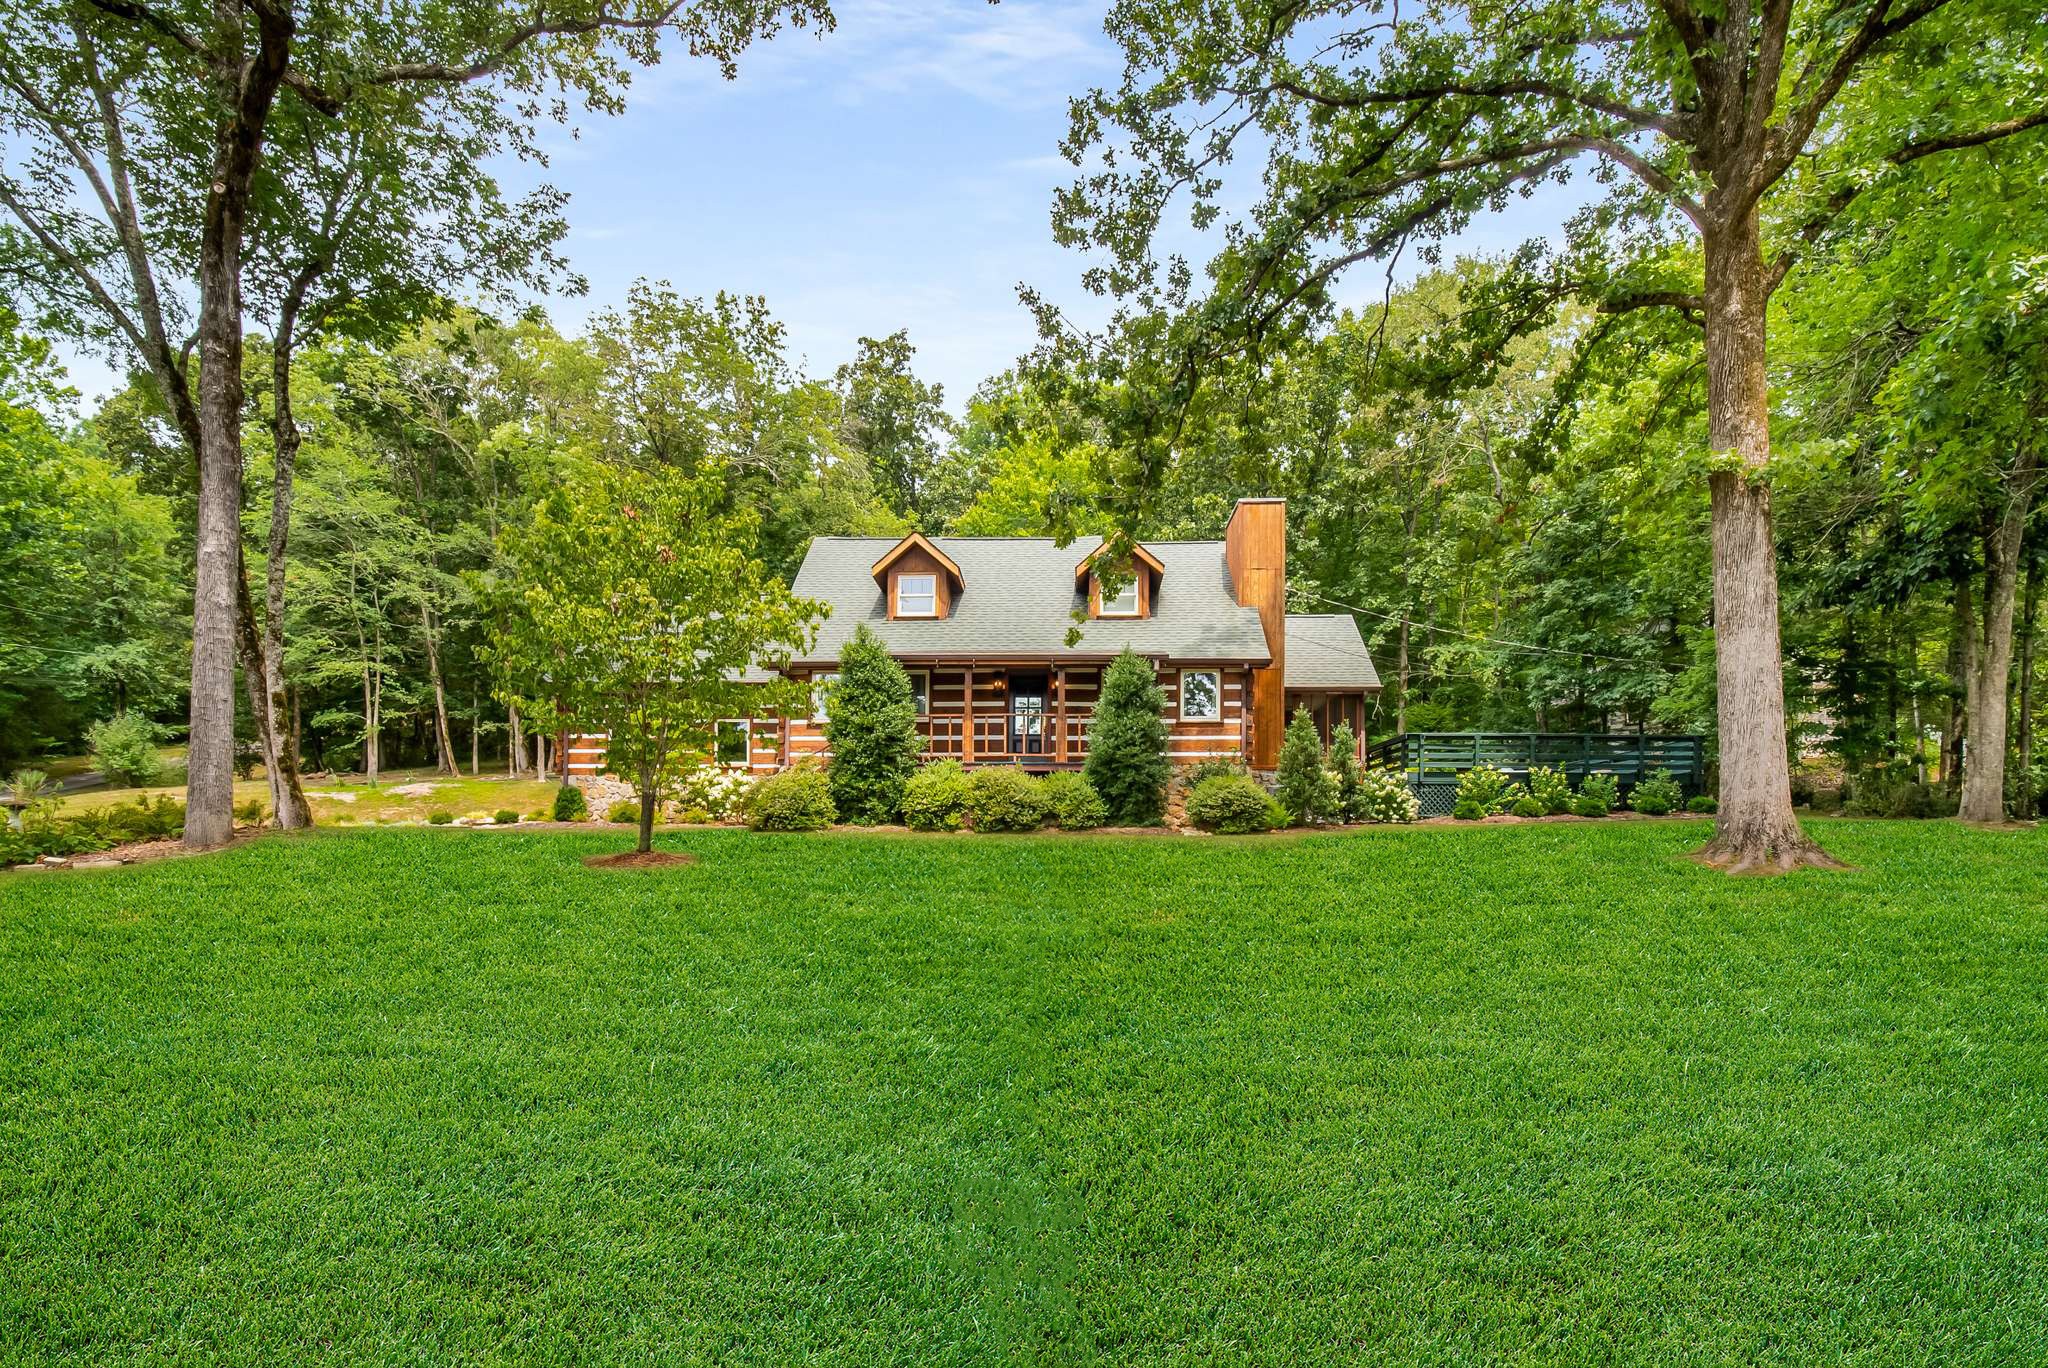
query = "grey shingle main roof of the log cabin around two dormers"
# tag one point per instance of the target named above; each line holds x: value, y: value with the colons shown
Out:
x: 1021, y: 597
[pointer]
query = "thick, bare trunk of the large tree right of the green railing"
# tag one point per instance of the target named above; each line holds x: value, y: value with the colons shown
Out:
x: 1756, y: 828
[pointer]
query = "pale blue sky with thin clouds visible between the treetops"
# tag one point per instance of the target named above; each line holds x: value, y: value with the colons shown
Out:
x: 894, y: 173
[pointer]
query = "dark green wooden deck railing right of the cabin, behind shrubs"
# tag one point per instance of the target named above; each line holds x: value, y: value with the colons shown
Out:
x: 1433, y: 761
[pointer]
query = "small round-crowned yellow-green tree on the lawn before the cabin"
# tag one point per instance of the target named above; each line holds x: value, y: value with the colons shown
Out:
x: 636, y: 605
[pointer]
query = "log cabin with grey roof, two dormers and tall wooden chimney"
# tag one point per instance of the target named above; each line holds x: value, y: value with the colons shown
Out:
x: 982, y: 628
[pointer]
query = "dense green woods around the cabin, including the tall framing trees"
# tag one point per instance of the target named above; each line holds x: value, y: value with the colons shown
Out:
x: 1539, y: 480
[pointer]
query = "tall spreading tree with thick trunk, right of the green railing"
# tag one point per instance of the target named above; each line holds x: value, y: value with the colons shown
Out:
x: 1388, y: 126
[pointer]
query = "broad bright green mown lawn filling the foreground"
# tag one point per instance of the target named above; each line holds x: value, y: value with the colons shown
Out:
x: 1539, y: 1093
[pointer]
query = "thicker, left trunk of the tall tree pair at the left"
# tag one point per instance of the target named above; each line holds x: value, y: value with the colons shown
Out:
x: 245, y: 91
